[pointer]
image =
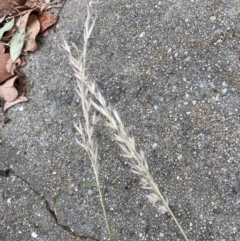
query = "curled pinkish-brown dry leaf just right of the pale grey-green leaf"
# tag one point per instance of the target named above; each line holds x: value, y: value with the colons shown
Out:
x: 33, y: 28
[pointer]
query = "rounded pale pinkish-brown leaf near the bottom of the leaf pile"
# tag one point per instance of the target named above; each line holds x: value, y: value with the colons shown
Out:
x: 7, y: 90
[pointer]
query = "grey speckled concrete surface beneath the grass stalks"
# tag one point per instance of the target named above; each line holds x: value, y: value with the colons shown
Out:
x: 171, y: 68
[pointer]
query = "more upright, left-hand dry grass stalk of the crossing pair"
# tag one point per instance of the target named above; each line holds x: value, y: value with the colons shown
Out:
x: 86, y: 131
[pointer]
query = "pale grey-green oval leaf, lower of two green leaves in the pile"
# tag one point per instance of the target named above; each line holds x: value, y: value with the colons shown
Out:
x: 16, y: 44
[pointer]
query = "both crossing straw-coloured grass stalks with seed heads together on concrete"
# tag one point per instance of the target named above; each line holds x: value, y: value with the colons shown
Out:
x: 93, y: 105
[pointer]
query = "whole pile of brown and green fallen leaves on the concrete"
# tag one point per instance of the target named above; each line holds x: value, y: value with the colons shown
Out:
x: 21, y: 21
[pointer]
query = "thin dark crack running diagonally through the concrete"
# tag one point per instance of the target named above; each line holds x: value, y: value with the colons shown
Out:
x: 51, y: 211
